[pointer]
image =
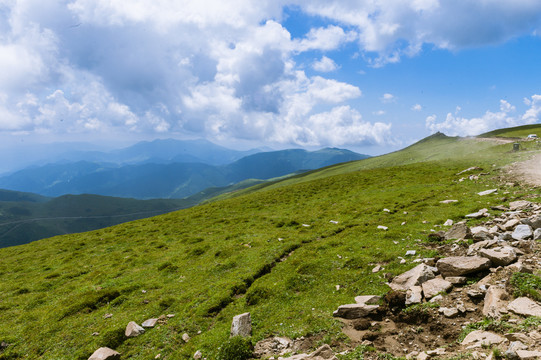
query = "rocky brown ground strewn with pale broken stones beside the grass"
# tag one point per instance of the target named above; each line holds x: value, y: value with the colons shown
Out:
x: 431, y: 308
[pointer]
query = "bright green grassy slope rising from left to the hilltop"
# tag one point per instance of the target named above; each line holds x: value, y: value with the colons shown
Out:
x: 209, y: 263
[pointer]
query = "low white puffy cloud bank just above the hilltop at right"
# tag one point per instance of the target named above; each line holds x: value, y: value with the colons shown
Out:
x: 456, y: 125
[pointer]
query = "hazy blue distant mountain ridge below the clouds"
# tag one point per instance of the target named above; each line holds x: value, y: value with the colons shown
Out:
x: 154, y: 174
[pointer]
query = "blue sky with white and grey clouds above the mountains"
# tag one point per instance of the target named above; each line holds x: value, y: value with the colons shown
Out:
x: 368, y: 75
